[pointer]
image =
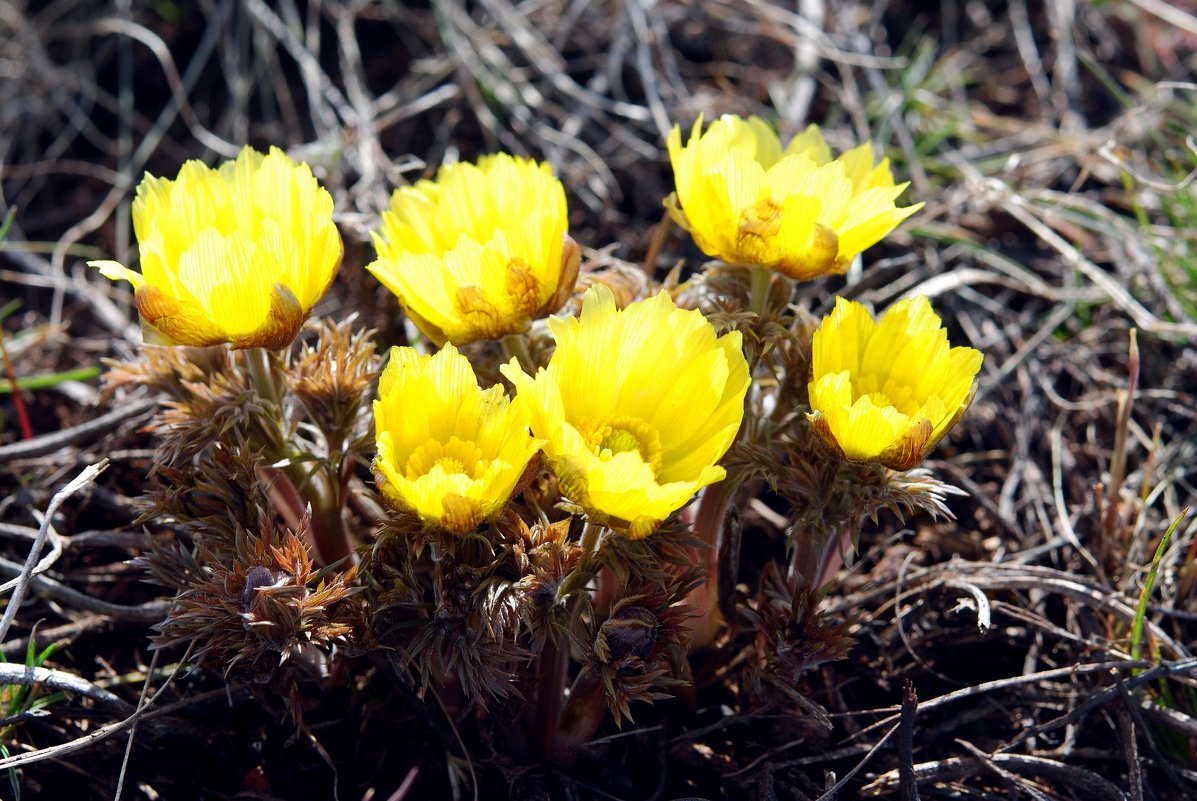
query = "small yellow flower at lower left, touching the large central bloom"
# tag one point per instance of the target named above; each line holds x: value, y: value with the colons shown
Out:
x: 448, y: 451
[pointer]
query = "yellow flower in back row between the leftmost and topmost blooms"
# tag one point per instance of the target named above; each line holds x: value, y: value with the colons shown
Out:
x: 481, y: 252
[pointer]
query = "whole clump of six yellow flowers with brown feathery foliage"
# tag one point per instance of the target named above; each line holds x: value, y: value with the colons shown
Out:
x: 526, y: 509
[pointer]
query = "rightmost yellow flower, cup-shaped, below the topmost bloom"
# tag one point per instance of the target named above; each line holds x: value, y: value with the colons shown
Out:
x: 888, y: 392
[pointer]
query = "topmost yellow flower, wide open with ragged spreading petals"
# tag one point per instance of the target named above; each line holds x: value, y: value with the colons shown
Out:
x: 797, y: 211
